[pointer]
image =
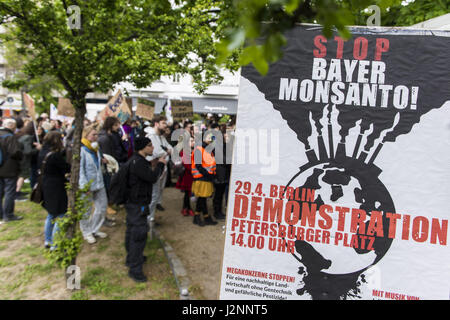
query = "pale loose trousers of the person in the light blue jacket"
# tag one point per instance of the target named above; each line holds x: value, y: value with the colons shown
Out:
x: 91, y: 223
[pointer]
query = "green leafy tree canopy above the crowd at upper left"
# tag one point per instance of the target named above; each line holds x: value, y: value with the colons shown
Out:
x: 122, y: 40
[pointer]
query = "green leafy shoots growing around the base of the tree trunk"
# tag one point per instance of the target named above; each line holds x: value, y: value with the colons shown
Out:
x: 68, y: 247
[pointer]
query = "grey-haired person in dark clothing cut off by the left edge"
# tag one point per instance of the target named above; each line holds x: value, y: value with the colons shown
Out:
x: 11, y: 156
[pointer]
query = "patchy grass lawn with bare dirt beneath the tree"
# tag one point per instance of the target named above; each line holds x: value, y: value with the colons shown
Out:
x: 26, y: 274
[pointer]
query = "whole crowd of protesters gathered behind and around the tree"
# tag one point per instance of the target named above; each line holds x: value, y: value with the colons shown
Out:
x: 41, y: 150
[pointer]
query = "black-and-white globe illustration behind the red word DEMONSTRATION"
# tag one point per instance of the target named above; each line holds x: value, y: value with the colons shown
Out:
x: 333, y: 269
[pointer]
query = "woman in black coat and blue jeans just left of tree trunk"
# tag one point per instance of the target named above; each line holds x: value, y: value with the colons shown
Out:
x: 53, y: 168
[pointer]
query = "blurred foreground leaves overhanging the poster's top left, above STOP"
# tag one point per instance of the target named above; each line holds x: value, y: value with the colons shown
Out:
x: 260, y: 26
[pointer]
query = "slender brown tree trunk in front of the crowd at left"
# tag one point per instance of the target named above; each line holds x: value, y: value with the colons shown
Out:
x: 80, y: 111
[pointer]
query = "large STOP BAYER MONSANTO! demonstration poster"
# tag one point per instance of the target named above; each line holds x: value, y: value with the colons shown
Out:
x: 355, y: 203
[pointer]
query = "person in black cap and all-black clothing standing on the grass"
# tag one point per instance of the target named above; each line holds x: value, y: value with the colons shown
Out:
x: 142, y: 175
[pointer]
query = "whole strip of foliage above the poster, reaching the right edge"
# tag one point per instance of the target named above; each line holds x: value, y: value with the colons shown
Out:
x: 256, y: 33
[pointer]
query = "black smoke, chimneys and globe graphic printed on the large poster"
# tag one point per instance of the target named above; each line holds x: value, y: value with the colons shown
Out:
x: 413, y: 60
